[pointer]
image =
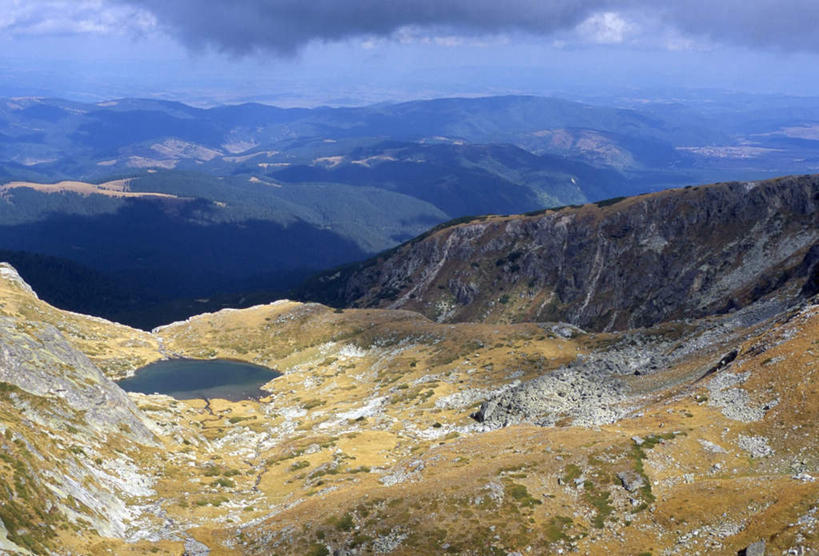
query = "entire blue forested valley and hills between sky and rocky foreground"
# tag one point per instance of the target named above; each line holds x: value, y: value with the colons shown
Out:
x: 163, y: 210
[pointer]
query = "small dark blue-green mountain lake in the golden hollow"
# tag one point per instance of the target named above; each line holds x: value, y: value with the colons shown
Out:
x: 186, y: 379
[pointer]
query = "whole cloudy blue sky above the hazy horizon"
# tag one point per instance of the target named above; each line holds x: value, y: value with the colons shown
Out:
x: 346, y: 52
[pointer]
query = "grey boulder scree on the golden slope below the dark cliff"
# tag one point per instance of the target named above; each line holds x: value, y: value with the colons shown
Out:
x: 591, y: 390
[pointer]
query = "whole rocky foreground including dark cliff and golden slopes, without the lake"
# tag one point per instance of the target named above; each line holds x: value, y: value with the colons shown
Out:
x: 636, y: 376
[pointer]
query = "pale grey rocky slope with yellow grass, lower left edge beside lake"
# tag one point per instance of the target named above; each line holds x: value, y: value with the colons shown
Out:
x: 68, y: 434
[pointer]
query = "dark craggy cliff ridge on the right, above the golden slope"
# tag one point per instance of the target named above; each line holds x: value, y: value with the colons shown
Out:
x: 607, y: 266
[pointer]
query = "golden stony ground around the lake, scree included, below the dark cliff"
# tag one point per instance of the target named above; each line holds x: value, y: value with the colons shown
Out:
x: 691, y: 437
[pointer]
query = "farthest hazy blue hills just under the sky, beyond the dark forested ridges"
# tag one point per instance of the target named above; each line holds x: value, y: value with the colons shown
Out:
x: 44, y: 139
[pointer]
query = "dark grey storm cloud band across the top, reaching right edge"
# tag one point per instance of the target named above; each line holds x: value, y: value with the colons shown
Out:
x: 285, y: 25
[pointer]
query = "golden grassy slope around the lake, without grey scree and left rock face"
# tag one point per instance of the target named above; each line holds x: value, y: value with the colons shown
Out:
x: 307, y: 466
